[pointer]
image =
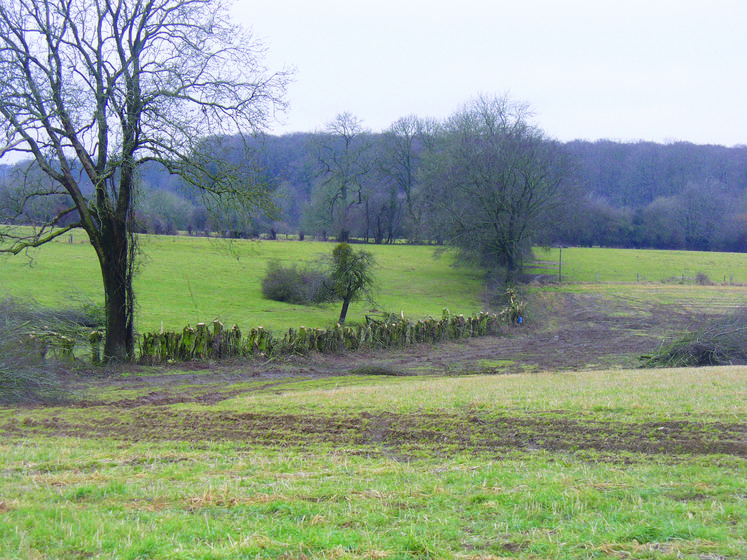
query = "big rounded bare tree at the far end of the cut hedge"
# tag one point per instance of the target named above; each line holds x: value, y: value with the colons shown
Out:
x: 493, y: 176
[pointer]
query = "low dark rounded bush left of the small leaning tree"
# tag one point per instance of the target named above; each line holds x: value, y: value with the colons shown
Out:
x: 291, y: 284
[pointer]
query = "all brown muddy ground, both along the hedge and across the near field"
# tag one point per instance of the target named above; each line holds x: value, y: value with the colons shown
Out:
x: 564, y: 332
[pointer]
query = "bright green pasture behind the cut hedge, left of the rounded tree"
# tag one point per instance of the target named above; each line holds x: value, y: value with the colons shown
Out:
x: 190, y: 280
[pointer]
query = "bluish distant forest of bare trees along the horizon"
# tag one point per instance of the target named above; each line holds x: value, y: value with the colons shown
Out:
x: 667, y: 196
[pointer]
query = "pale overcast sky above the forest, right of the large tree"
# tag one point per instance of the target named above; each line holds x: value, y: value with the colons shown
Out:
x: 660, y: 70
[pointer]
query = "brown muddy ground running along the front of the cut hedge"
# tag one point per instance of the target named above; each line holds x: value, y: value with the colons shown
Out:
x: 563, y: 332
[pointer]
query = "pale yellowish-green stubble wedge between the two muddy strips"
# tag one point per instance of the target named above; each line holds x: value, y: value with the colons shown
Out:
x: 646, y: 391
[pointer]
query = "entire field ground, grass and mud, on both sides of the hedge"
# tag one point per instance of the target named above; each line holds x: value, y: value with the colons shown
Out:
x: 305, y: 459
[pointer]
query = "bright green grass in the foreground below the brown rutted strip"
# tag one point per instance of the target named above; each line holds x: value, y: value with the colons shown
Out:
x: 178, y: 503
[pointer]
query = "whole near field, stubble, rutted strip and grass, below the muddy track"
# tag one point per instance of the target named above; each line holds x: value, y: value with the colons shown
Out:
x: 395, y: 489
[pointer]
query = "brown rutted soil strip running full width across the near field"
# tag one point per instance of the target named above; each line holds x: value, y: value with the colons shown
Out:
x: 399, y: 435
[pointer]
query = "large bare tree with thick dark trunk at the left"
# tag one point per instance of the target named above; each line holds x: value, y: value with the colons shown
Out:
x: 93, y: 89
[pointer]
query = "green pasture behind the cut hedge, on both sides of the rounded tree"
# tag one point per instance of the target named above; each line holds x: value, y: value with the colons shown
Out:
x: 189, y: 280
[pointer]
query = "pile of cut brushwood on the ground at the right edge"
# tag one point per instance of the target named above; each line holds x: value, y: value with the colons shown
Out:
x: 722, y: 342
